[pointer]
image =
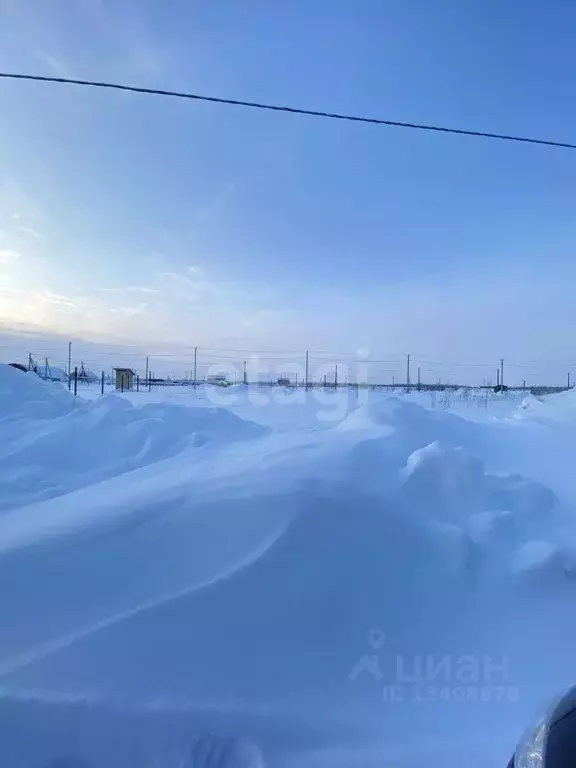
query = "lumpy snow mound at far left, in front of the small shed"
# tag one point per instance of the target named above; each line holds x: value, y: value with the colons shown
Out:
x: 54, y: 443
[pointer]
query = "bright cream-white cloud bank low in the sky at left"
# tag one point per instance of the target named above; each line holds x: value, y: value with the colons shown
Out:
x: 167, y: 312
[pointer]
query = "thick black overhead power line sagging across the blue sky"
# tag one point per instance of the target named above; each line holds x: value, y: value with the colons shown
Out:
x: 290, y: 110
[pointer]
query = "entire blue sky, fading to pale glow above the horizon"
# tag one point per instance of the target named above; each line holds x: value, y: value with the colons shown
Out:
x: 157, y: 223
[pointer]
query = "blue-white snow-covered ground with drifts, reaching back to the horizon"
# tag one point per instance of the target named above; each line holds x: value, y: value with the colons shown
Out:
x: 325, y: 578
